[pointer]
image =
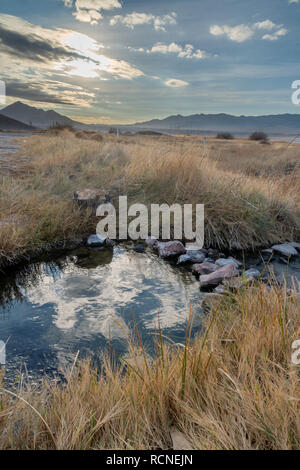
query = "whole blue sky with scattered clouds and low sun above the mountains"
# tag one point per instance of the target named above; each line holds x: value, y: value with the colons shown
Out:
x: 125, y: 61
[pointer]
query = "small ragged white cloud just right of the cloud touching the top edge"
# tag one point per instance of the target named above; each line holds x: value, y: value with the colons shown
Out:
x: 134, y: 19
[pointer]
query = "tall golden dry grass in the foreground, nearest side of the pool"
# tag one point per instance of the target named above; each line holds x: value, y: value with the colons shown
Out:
x: 233, y: 388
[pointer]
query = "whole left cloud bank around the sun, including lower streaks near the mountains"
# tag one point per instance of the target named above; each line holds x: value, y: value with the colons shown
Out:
x: 44, y: 65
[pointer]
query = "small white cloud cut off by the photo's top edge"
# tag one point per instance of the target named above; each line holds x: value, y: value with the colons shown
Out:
x: 89, y: 11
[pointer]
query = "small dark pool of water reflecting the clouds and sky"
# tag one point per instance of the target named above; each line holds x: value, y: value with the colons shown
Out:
x: 87, y: 301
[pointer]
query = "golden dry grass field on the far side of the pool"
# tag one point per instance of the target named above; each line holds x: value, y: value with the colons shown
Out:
x: 250, y: 191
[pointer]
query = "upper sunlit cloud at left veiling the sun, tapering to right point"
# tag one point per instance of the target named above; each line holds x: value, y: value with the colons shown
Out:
x: 61, y: 50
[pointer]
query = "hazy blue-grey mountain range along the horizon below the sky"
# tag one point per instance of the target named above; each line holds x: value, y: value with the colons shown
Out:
x: 278, y: 124
